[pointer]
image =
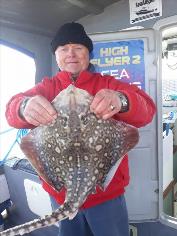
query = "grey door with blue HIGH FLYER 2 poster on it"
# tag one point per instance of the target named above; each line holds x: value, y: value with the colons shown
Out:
x: 130, y: 57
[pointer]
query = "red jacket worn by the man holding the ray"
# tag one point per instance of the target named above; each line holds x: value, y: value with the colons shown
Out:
x: 141, y: 111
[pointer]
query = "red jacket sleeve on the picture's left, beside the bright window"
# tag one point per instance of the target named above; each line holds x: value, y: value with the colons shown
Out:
x: 12, y: 108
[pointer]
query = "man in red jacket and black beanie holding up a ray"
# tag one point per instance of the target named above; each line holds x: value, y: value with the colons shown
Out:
x: 104, y: 213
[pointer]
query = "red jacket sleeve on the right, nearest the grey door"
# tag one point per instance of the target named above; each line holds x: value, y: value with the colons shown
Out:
x: 141, y: 106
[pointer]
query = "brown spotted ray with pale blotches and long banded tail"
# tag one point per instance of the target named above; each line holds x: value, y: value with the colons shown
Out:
x: 78, y: 151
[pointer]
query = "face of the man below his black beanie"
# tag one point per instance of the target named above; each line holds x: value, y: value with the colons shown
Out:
x: 72, y: 58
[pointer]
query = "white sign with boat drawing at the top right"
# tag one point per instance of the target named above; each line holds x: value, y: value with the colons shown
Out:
x: 142, y: 10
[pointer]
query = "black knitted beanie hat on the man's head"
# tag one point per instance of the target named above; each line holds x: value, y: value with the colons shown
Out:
x: 71, y: 33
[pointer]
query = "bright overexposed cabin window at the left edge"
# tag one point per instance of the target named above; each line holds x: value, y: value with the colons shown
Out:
x: 17, y: 74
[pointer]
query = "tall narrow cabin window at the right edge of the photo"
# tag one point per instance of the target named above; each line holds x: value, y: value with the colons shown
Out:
x: 169, y: 119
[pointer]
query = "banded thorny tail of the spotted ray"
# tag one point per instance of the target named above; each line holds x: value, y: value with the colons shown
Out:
x: 60, y: 214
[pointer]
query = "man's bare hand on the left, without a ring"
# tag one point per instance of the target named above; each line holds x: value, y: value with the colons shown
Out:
x: 38, y: 110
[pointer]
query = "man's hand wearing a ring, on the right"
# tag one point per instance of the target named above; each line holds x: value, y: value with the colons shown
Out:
x: 106, y: 103
